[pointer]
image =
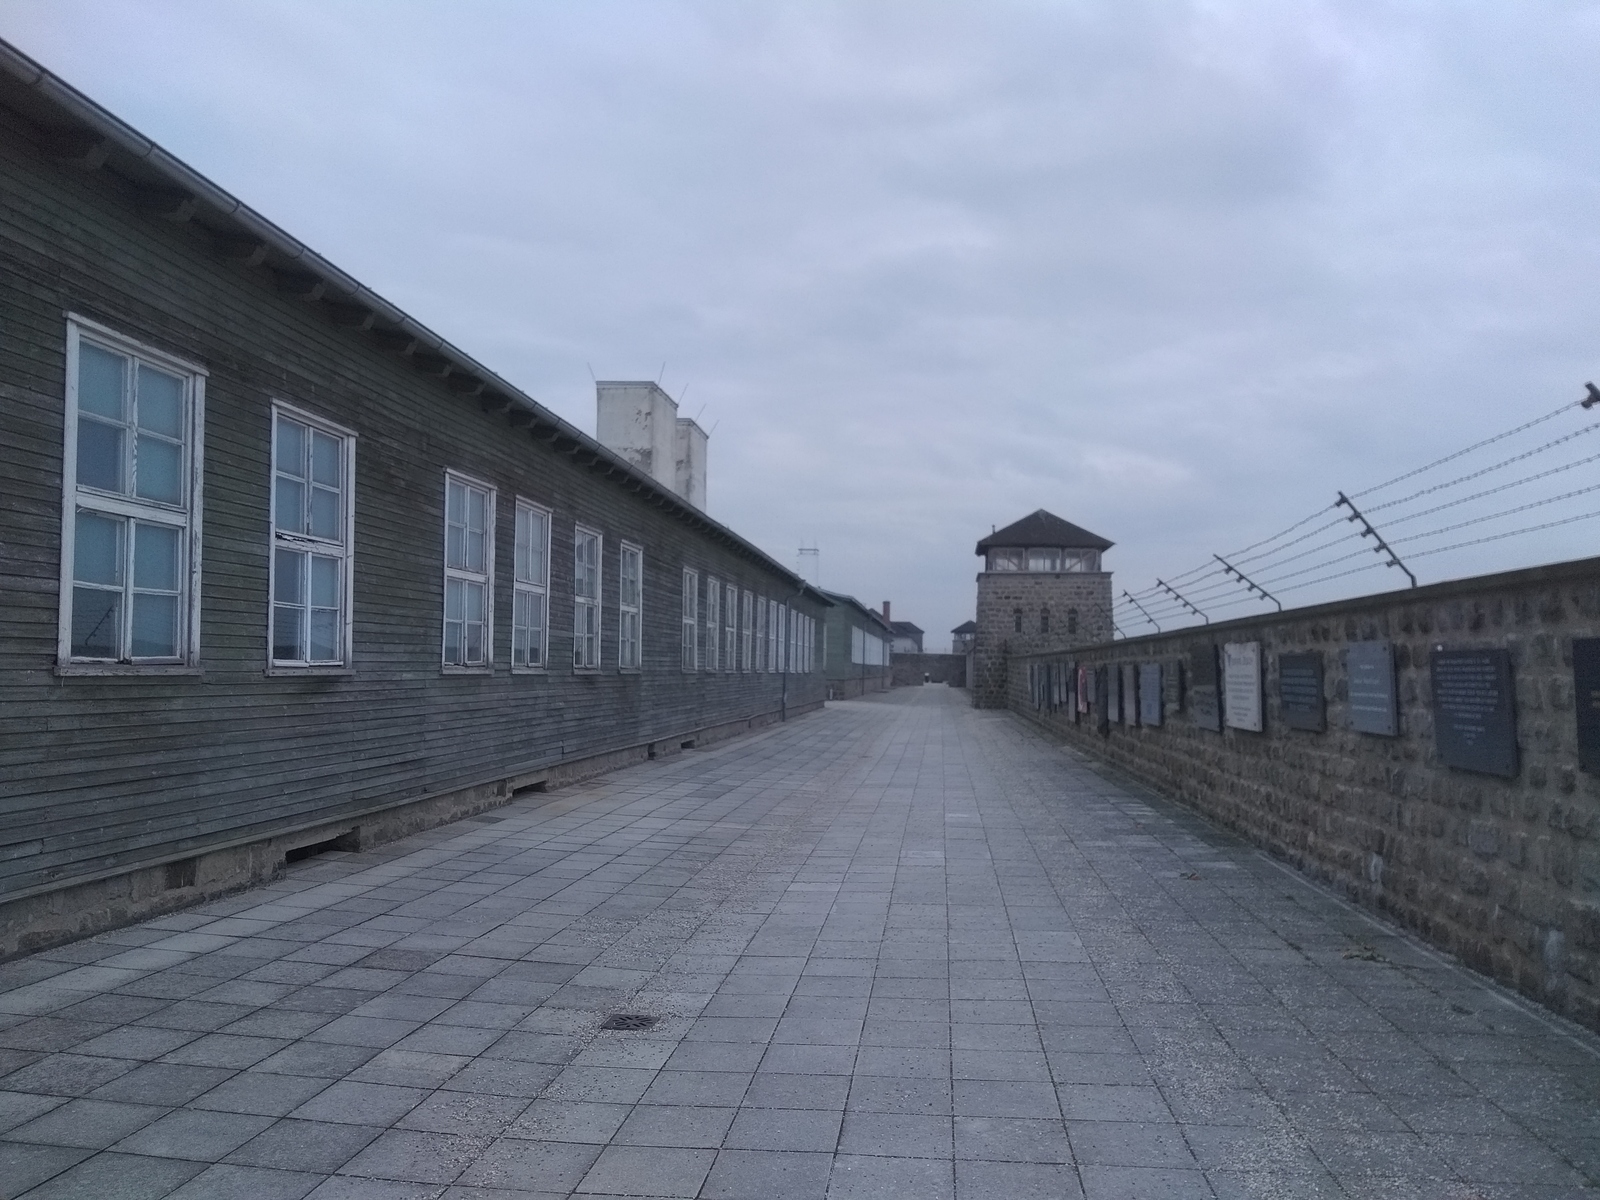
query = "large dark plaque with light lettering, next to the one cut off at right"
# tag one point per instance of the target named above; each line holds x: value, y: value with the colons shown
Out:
x: 1474, y: 724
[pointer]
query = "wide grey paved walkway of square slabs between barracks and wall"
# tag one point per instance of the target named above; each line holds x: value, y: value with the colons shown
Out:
x: 898, y: 950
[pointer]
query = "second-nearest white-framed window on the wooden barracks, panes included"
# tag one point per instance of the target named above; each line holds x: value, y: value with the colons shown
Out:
x: 313, y: 511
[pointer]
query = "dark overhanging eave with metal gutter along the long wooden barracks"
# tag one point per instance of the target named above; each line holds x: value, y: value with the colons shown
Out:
x: 95, y: 138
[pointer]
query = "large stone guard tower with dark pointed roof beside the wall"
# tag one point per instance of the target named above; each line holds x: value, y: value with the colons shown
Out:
x: 1041, y: 590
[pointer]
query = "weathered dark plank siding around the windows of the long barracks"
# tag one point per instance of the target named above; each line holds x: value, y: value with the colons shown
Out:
x: 106, y: 774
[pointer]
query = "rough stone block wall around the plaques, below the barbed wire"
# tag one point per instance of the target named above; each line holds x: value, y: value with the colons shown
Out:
x: 1503, y: 874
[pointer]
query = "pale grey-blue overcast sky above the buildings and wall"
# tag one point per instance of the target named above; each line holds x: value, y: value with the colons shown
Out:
x: 1177, y: 273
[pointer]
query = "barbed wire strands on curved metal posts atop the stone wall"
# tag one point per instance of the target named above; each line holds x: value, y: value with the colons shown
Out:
x: 1367, y: 527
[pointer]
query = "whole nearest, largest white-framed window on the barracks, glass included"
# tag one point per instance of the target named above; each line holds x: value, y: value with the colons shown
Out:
x: 130, y: 530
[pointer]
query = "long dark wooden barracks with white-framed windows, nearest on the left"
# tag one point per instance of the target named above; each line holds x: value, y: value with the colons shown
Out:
x: 282, y: 569
